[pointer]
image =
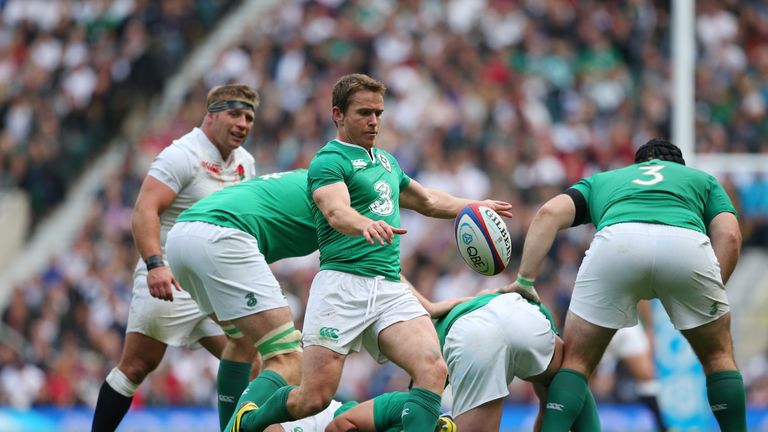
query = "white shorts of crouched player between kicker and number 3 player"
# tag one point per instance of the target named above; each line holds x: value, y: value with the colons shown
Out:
x: 488, y: 347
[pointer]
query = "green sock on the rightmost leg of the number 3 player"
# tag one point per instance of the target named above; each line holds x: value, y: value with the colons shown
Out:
x: 727, y: 399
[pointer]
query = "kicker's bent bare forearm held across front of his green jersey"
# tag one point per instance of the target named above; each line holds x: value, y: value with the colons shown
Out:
x: 334, y: 202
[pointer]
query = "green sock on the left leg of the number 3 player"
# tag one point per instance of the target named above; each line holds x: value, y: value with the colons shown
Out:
x: 565, y: 399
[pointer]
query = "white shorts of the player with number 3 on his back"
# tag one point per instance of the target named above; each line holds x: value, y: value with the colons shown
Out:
x: 630, y: 262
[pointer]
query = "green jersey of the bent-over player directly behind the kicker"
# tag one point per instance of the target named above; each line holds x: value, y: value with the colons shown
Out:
x: 274, y: 208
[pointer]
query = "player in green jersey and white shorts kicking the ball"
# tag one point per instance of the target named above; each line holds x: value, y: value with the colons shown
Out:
x: 357, y: 300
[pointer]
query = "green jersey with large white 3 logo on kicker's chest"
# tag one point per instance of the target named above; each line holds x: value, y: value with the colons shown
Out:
x: 374, y: 181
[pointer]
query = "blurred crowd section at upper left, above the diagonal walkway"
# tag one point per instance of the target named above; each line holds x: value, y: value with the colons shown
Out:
x: 70, y: 71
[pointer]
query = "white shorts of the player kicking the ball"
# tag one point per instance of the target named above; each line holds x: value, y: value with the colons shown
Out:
x: 346, y: 312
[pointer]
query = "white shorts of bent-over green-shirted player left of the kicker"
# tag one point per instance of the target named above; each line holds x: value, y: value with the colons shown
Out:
x: 223, y: 270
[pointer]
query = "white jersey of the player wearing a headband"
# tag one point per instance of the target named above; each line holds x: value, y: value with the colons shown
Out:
x: 192, y: 166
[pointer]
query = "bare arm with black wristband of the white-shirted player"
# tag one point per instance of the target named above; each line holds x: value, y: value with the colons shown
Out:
x: 154, y: 197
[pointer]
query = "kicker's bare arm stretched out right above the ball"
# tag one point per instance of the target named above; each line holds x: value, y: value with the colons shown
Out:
x: 439, y: 204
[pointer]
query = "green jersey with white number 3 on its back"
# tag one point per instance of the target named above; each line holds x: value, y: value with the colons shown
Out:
x: 656, y: 192
